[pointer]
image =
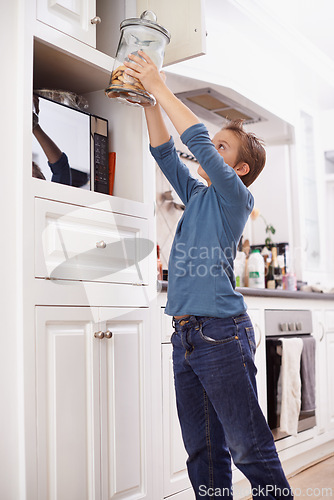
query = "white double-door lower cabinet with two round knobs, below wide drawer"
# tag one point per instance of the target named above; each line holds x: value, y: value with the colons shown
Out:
x: 93, y: 421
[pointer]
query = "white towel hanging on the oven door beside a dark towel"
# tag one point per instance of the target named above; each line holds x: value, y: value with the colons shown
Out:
x: 290, y: 385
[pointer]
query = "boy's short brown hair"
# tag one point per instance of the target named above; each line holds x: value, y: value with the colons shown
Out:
x: 251, y: 151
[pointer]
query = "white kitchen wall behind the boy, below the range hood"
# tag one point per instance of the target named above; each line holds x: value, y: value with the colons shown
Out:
x: 270, y: 193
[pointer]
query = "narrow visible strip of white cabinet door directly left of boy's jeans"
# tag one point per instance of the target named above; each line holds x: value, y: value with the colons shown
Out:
x: 175, y: 470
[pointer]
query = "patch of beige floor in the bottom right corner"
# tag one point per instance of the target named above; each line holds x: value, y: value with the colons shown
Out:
x: 316, y: 481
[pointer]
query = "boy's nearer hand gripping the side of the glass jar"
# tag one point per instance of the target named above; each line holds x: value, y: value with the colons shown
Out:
x: 145, y: 70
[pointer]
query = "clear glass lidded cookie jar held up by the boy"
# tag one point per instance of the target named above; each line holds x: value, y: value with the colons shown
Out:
x: 145, y: 34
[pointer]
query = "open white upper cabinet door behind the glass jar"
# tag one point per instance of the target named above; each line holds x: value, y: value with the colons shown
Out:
x: 184, y: 19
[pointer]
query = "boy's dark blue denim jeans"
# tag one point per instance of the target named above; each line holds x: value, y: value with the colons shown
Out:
x: 218, y: 408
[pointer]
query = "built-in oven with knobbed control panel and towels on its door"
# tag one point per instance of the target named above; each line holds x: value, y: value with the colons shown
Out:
x: 281, y: 325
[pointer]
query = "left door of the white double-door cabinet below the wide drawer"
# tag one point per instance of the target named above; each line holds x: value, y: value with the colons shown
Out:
x: 68, y: 423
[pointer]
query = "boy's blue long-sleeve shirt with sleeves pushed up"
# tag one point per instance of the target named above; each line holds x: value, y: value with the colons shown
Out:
x: 200, y: 271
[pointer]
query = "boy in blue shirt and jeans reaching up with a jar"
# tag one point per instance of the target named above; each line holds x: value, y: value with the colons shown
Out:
x: 213, y: 341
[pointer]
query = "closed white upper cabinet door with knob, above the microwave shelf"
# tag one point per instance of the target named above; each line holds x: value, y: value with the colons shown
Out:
x: 72, y: 17
